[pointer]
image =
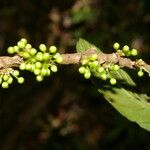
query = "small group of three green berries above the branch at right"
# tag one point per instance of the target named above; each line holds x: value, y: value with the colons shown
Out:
x: 125, y: 51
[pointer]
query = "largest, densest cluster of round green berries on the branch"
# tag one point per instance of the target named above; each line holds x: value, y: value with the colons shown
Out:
x: 41, y: 62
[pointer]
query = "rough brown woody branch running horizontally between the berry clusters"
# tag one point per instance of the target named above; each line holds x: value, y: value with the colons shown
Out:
x: 75, y: 58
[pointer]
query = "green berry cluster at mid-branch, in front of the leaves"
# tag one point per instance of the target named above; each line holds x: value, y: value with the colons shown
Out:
x: 91, y: 66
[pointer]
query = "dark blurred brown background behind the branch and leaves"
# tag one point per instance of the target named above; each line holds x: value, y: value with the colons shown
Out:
x: 65, y: 111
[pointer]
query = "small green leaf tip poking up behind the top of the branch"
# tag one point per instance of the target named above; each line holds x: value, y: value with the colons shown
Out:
x: 83, y: 45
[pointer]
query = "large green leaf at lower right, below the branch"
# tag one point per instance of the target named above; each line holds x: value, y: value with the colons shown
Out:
x: 133, y: 106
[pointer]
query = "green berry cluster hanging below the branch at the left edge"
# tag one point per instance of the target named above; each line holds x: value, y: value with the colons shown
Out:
x: 7, y: 76
